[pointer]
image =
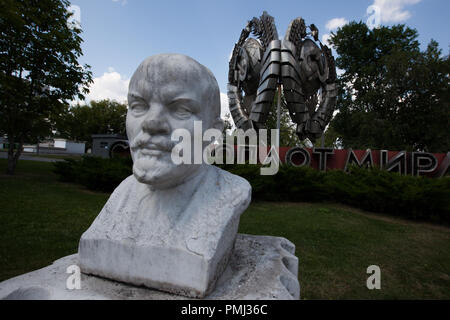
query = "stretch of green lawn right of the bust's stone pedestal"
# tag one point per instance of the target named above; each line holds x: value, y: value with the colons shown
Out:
x: 335, y: 245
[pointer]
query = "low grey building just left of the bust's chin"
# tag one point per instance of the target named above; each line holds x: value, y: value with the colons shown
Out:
x: 110, y: 145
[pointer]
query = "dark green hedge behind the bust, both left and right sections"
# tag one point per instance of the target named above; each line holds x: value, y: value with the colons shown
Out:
x: 373, y: 190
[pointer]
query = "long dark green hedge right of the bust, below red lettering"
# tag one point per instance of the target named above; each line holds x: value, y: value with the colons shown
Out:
x: 373, y: 190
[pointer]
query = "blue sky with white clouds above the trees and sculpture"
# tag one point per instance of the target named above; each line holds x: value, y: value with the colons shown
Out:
x: 119, y: 34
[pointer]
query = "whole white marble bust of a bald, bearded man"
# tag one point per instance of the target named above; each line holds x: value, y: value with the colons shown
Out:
x: 168, y: 226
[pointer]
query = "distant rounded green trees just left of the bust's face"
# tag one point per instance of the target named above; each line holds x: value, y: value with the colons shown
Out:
x: 80, y: 122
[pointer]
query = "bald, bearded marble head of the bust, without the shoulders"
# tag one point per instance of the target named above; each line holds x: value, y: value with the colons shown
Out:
x: 168, y: 92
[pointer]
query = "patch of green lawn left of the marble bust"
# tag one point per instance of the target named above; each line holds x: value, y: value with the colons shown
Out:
x: 42, y: 219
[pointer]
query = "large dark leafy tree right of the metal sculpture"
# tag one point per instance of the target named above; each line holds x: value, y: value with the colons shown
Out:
x: 392, y: 95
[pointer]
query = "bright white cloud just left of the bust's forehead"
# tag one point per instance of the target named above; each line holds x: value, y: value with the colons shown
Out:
x: 111, y: 85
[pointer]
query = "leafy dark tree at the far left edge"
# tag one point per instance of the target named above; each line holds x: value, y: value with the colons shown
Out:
x: 39, y: 69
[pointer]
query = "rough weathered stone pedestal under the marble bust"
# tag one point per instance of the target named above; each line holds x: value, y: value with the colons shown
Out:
x: 260, y: 267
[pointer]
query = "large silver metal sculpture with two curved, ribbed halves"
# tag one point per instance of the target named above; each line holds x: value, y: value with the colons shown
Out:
x: 296, y: 65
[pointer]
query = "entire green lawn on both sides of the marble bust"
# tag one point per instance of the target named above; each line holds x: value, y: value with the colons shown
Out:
x: 42, y: 220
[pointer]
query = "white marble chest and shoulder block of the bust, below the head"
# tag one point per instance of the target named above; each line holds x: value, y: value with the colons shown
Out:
x: 131, y: 243
